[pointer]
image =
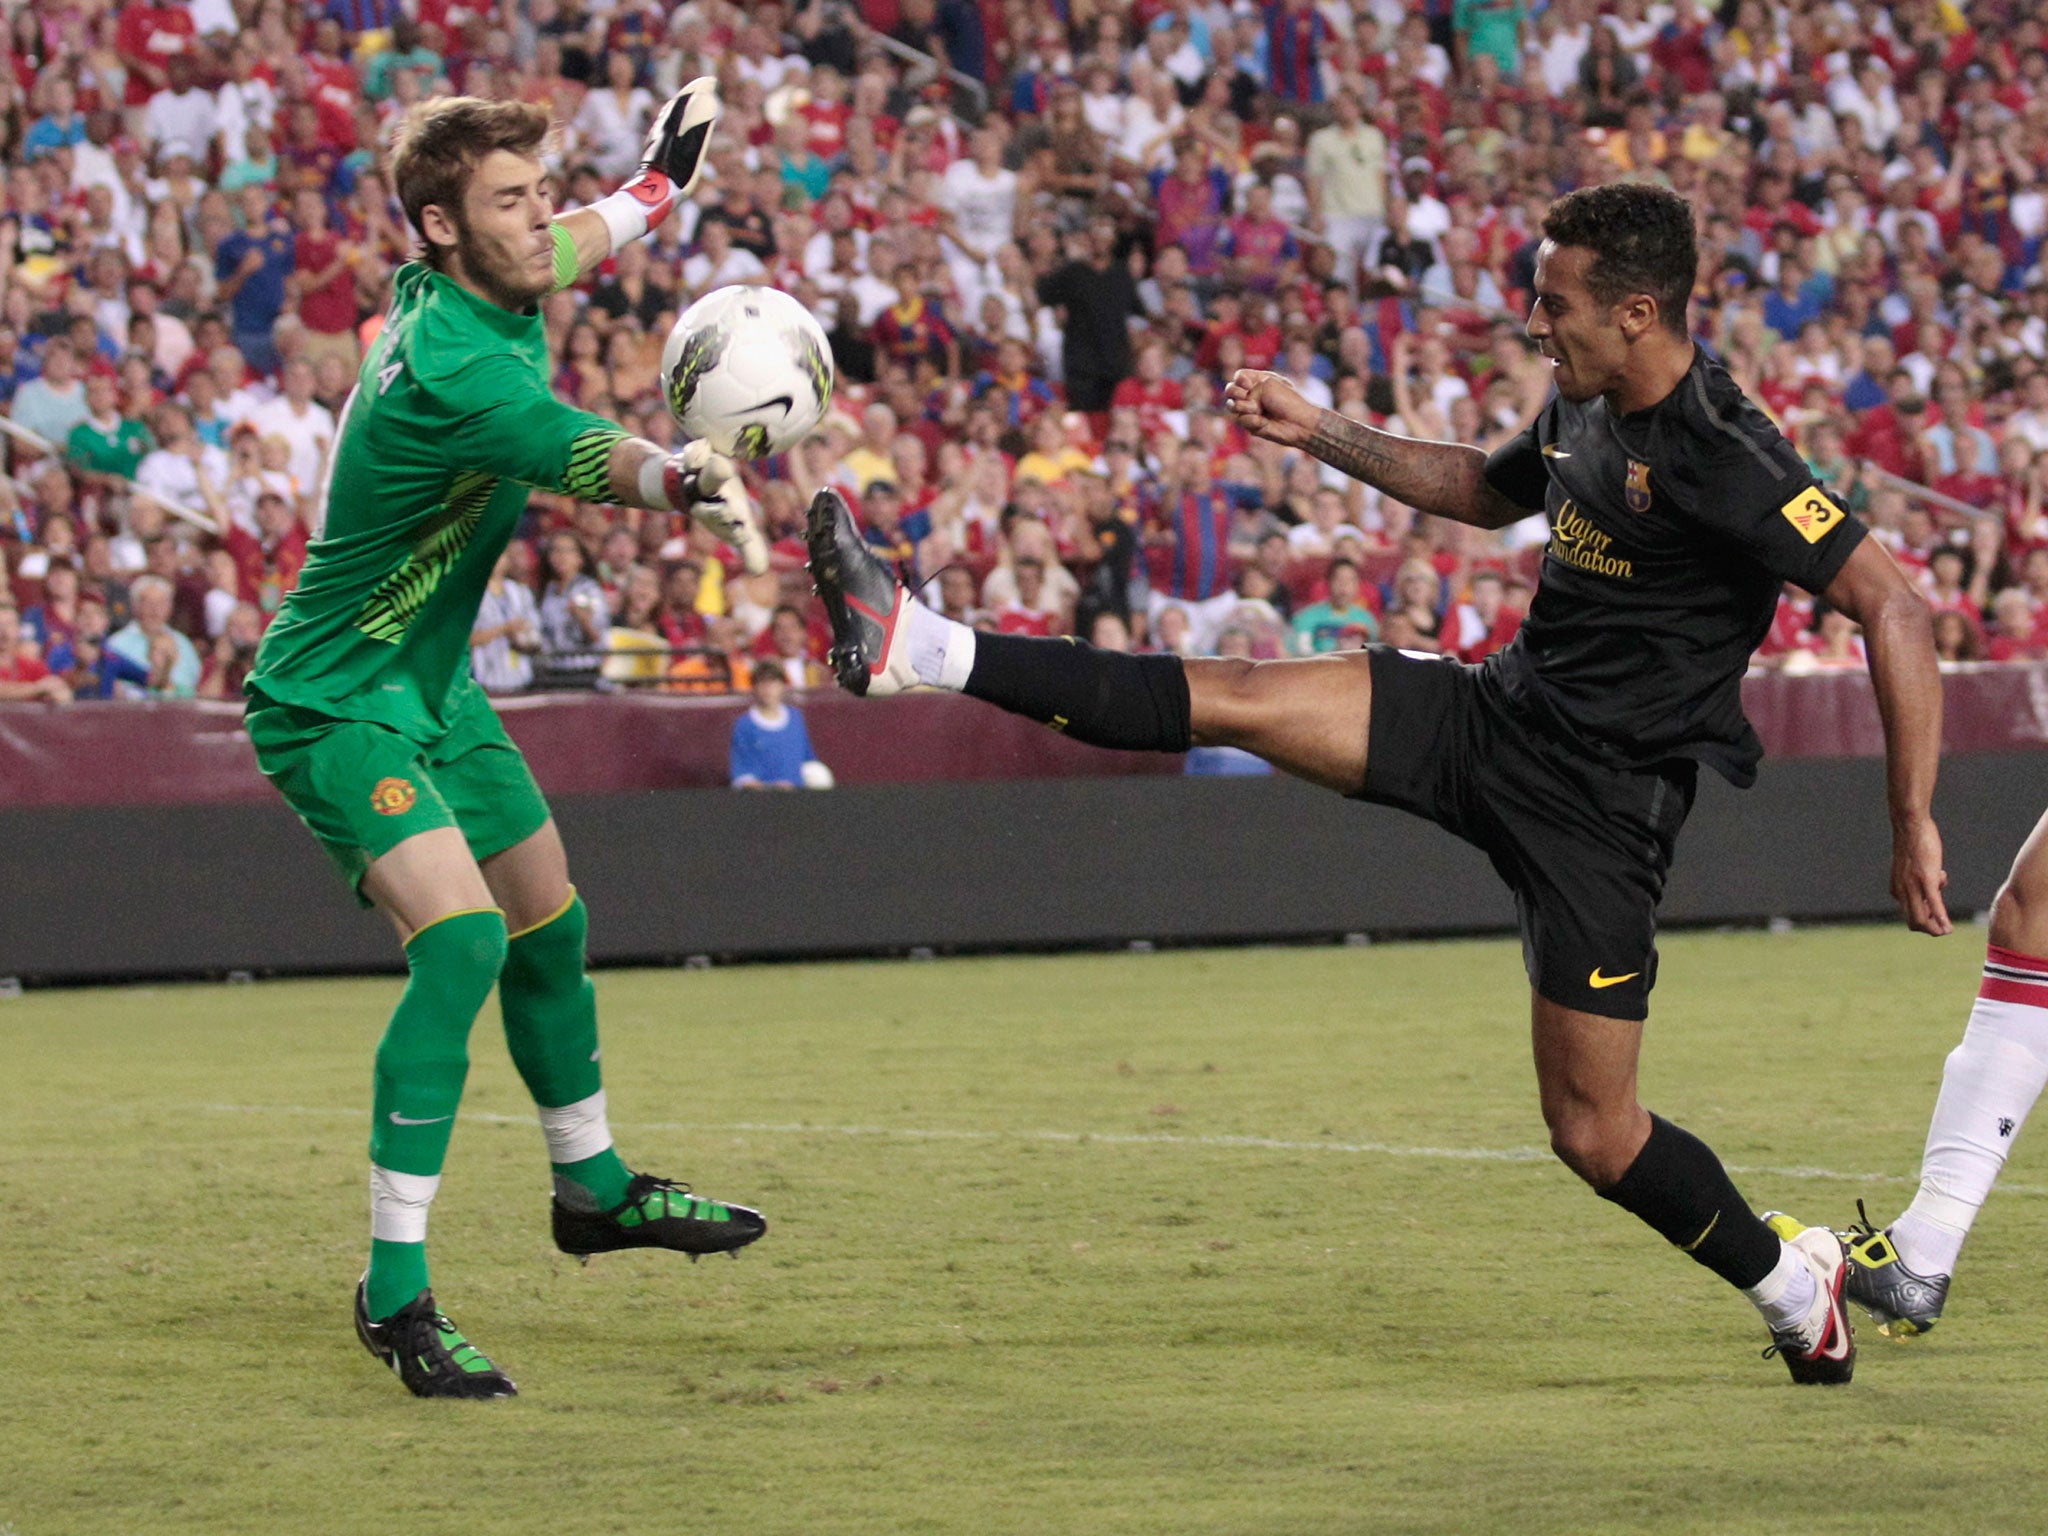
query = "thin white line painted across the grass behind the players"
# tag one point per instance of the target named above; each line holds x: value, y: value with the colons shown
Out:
x: 1132, y: 1140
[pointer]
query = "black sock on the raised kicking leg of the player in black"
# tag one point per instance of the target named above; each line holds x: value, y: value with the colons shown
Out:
x: 1136, y: 703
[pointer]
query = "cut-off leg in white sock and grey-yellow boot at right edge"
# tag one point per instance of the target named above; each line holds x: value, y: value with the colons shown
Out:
x: 1990, y: 1086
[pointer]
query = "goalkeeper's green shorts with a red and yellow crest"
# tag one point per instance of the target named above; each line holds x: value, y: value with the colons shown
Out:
x: 364, y: 790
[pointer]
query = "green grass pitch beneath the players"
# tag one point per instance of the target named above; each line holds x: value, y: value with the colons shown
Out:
x: 1246, y: 1242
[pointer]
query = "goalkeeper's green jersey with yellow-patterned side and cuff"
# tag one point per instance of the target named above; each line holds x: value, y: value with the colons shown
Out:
x: 447, y: 429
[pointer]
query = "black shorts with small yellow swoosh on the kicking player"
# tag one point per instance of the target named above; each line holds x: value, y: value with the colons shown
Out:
x: 1584, y: 847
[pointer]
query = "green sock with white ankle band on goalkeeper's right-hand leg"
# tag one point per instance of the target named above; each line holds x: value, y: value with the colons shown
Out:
x: 552, y: 1029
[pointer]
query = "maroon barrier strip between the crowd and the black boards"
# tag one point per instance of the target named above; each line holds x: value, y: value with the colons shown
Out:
x: 601, y: 744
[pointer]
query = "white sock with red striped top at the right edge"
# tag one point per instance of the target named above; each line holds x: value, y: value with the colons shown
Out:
x: 1988, y: 1091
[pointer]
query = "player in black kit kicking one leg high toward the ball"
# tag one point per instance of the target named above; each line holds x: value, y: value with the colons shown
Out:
x: 1676, y: 513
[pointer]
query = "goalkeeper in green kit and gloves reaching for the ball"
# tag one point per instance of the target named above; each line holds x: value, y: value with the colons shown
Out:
x: 368, y: 720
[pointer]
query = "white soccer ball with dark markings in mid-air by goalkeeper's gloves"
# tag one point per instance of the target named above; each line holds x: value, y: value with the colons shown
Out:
x: 749, y: 372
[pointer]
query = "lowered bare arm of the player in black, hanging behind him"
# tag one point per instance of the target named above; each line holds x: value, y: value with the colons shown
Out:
x: 1900, y: 638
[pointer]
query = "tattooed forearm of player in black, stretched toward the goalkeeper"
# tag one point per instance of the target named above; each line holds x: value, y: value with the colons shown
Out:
x: 1441, y: 478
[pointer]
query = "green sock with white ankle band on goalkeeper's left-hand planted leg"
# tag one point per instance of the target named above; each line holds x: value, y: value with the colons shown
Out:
x: 421, y: 1066
